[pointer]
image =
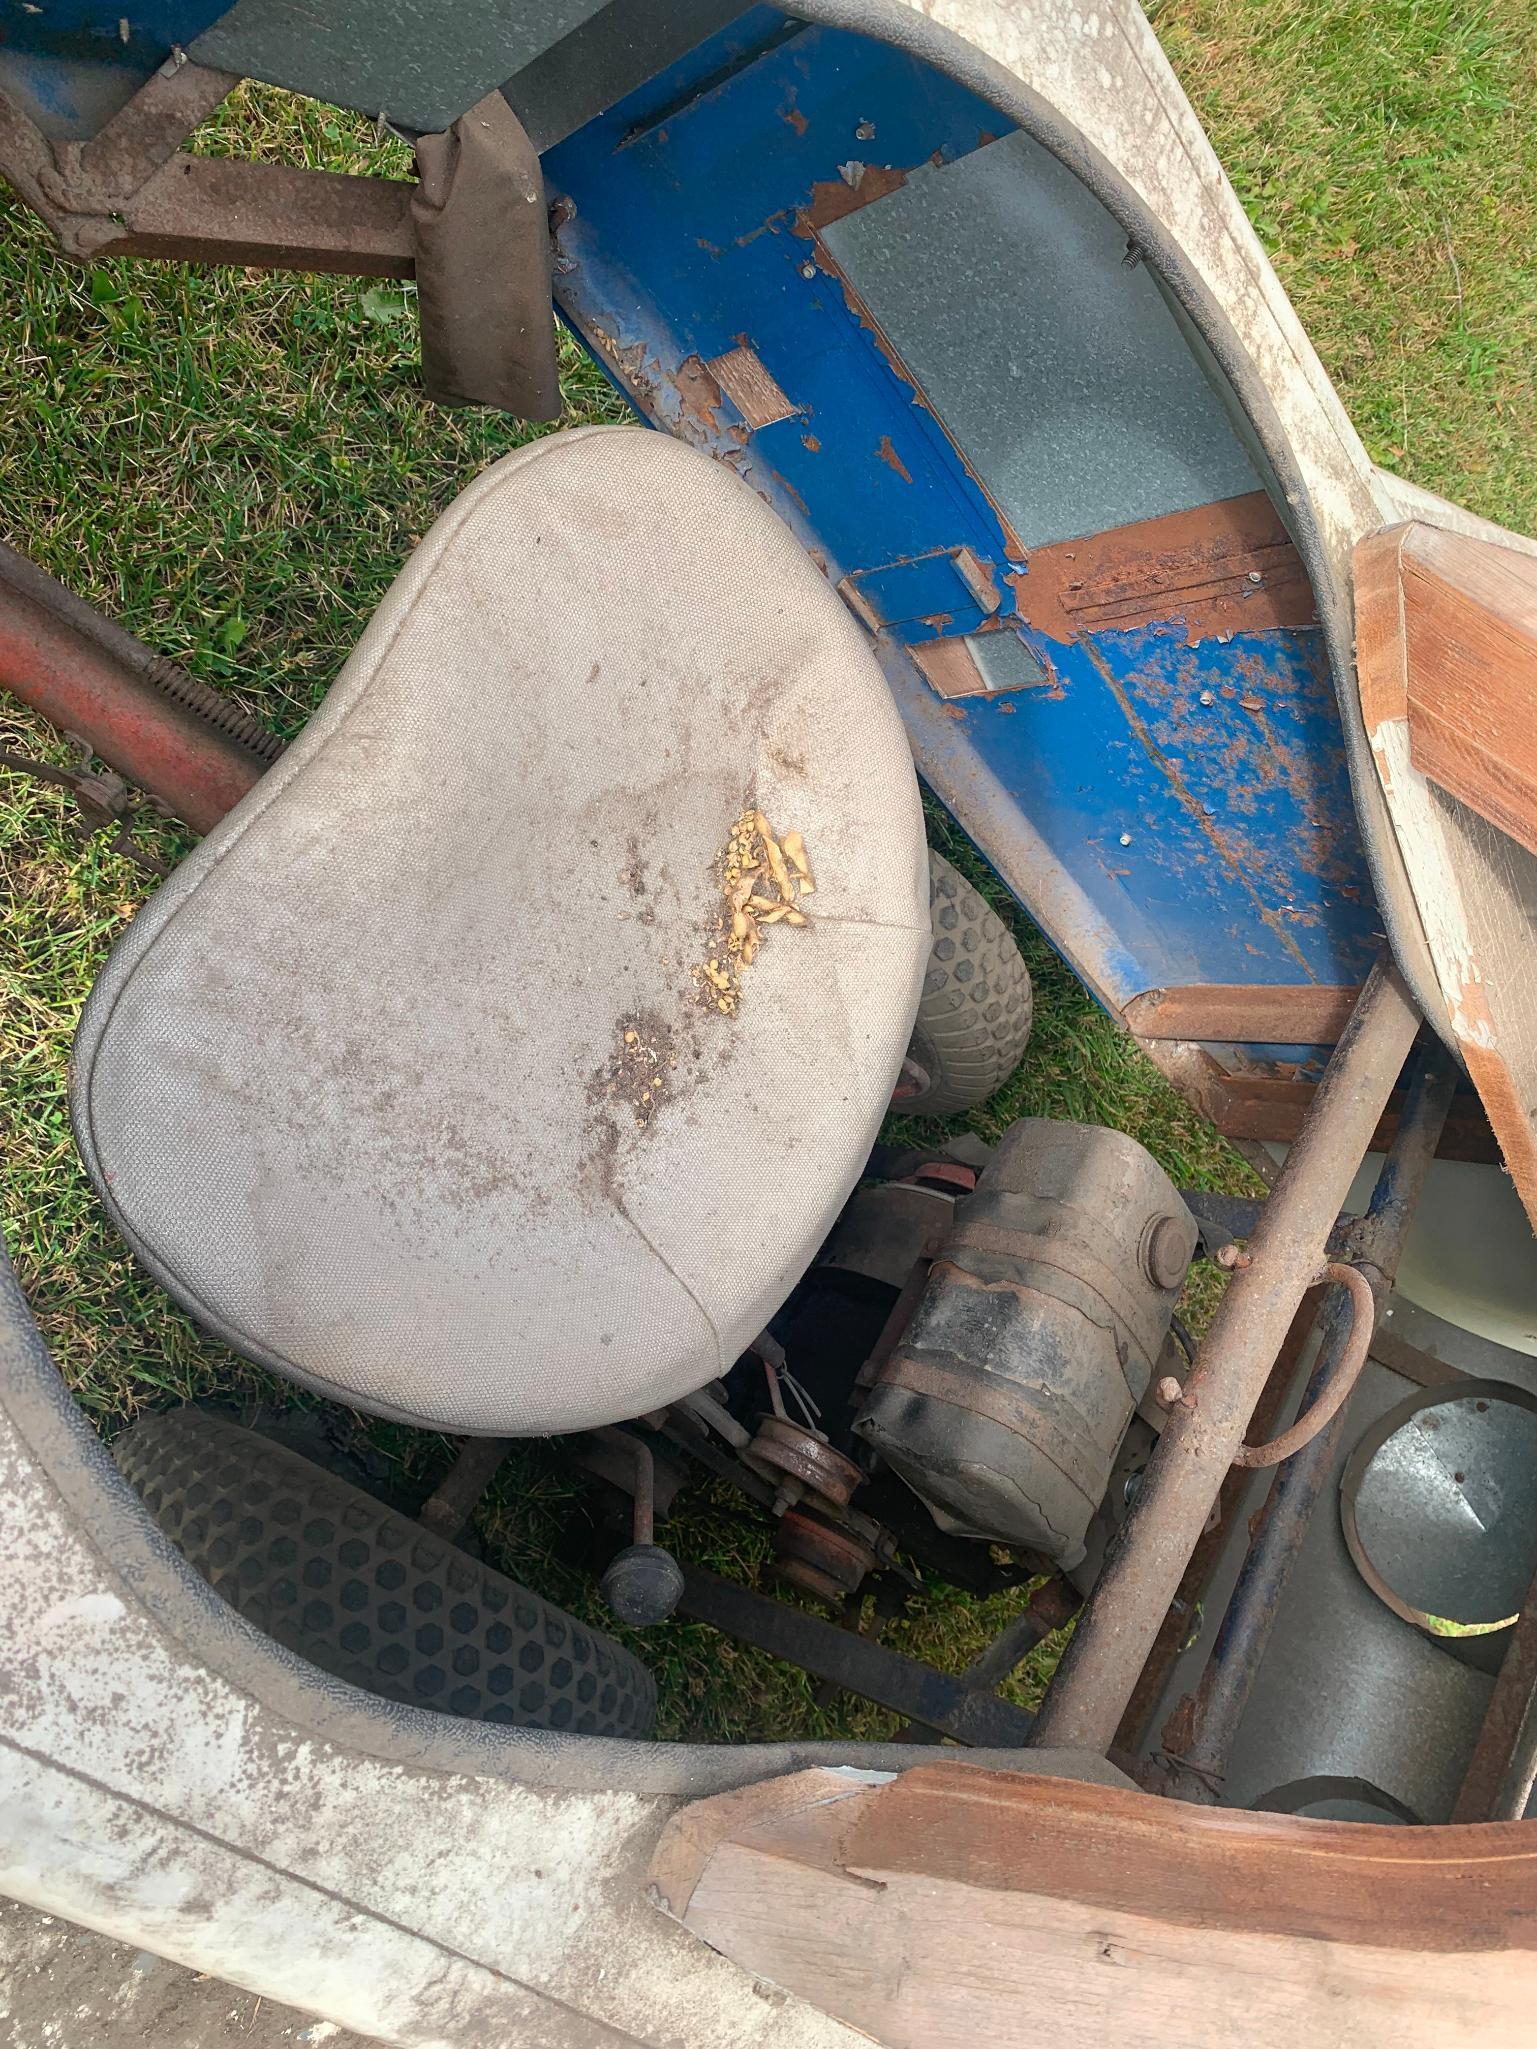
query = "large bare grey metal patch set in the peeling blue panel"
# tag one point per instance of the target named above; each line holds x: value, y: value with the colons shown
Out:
x: 1054, y: 362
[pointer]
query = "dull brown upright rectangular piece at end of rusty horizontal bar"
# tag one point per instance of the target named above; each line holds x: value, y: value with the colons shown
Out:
x: 483, y: 267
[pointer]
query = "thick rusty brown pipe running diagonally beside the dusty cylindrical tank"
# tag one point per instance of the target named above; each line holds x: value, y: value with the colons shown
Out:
x: 1208, y: 1423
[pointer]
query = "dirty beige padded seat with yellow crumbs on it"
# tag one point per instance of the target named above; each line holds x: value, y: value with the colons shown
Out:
x: 413, y: 1083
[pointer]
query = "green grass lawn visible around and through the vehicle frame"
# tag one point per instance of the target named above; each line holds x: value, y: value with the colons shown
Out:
x: 237, y: 464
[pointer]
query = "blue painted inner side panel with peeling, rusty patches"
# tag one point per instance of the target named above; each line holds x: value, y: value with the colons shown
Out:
x: 1159, y: 839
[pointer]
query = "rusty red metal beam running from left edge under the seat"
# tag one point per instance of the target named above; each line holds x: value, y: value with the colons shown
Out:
x: 147, y: 718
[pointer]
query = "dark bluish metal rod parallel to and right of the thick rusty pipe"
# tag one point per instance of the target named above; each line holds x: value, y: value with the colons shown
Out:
x: 1202, y: 1730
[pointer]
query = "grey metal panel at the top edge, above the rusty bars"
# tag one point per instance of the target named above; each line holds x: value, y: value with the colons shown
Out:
x: 419, y: 62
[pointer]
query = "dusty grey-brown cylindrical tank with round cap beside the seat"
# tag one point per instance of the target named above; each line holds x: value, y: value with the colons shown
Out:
x: 1036, y: 1337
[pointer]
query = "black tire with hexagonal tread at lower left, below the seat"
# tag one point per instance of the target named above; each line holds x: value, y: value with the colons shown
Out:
x: 366, y: 1593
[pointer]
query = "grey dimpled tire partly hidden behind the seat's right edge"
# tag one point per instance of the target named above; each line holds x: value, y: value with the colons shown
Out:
x: 974, y: 1019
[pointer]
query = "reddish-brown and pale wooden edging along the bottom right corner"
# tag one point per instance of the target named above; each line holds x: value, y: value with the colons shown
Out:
x: 948, y: 1907
